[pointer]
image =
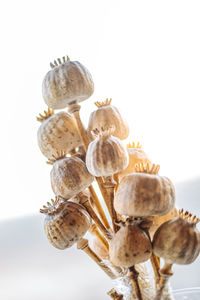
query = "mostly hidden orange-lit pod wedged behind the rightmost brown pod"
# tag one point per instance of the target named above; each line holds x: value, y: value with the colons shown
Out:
x: 157, y: 221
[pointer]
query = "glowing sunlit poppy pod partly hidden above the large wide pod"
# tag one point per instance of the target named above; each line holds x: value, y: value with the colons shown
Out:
x: 136, y: 156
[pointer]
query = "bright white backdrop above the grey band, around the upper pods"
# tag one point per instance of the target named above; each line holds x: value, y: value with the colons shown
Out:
x: 143, y: 54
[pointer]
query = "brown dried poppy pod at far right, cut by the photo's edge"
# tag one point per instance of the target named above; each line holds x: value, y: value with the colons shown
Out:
x: 178, y: 240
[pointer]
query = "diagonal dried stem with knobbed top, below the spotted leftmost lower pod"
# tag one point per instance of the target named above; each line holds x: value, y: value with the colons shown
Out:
x: 83, y: 245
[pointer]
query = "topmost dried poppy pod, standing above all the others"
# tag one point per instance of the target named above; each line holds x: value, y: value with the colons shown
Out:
x: 68, y: 81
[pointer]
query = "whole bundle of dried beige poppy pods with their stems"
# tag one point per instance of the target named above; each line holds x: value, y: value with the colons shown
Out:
x: 141, y: 222
